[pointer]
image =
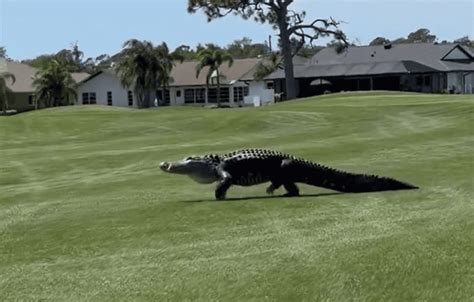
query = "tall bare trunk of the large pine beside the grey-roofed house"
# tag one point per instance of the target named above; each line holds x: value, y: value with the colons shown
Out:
x: 290, y: 82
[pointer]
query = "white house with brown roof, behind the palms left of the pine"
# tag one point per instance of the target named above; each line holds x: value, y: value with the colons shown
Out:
x: 105, y: 88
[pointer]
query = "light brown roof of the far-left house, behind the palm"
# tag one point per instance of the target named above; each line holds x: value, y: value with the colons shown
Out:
x: 24, y: 76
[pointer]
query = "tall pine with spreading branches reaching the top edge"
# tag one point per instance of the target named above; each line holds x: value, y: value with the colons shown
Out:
x: 278, y: 14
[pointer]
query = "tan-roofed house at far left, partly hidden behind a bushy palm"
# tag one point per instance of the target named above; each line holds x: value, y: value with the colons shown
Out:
x: 21, y: 94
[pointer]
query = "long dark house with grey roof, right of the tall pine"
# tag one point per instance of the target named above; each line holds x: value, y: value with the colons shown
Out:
x: 420, y: 67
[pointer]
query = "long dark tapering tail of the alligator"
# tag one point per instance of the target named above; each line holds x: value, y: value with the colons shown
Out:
x: 321, y: 176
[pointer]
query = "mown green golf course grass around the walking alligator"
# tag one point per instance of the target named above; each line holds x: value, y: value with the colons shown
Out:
x: 85, y: 213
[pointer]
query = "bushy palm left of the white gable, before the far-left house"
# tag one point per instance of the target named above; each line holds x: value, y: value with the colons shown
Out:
x: 53, y: 84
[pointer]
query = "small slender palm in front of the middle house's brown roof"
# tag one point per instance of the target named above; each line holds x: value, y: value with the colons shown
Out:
x: 213, y: 59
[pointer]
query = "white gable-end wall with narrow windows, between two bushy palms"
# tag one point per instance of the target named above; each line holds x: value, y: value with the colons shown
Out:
x: 103, y: 83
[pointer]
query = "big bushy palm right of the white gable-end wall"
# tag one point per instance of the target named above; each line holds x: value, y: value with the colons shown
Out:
x: 139, y: 67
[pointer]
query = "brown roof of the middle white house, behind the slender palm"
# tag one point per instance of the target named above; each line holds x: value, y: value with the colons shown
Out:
x: 184, y: 74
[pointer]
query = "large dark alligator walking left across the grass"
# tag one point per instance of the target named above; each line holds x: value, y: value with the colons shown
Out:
x: 249, y: 167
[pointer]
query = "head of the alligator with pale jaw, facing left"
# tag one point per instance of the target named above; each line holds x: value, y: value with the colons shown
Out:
x: 200, y: 169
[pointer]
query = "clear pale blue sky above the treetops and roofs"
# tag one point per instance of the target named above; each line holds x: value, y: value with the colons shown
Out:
x: 29, y: 28
